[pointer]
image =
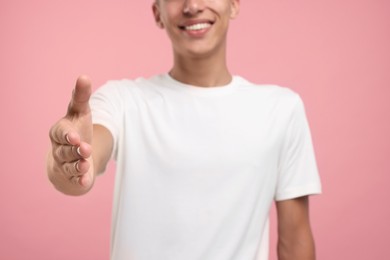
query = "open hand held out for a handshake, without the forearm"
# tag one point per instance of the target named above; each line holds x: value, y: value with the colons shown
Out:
x: 71, y: 137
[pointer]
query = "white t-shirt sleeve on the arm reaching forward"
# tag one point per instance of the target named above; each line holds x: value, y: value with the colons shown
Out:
x: 106, y: 108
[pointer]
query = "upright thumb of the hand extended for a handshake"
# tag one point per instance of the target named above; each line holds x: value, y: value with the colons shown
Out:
x: 79, y: 103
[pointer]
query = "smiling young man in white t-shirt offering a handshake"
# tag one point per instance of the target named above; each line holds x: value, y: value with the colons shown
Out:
x: 201, y: 154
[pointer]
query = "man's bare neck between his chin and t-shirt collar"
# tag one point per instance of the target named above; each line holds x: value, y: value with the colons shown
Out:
x: 201, y: 71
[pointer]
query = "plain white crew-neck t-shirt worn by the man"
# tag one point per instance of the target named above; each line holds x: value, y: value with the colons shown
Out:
x: 198, y: 168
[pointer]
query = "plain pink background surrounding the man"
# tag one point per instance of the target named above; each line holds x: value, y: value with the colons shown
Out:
x: 336, y: 54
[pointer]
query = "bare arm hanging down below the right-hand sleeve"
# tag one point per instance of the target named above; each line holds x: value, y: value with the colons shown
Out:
x: 295, y: 239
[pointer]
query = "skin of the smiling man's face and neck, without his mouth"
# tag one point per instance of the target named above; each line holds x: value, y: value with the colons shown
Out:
x: 197, y: 61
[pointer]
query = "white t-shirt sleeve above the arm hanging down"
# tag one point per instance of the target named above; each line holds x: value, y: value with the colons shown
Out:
x: 298, y: 173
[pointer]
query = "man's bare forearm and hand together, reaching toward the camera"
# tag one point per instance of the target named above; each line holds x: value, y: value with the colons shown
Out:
x: 79, y: 149
